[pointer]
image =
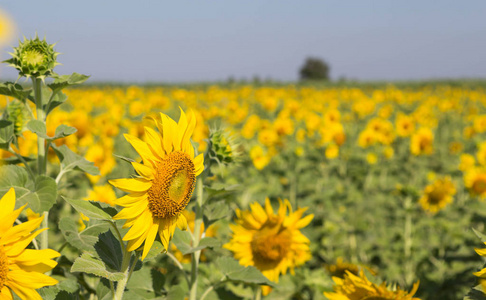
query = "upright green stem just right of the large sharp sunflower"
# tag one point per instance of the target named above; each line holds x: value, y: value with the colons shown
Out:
x: 196, y: 236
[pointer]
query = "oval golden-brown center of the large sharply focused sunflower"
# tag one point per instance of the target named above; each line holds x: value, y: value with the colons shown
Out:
x: 172, y: 187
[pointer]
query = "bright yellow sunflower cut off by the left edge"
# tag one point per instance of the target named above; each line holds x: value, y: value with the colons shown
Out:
x: 21, y: 270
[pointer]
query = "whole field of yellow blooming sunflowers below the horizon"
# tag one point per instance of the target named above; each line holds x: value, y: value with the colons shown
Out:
x: 239, y: 191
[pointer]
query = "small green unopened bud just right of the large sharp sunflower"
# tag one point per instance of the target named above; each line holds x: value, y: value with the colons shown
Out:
x: 223, y: 148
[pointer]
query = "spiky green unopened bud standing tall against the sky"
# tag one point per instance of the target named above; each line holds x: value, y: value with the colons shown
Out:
x: 34, y: 58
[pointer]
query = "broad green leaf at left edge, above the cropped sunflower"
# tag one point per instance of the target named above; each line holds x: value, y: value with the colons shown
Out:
x: 40, y: 195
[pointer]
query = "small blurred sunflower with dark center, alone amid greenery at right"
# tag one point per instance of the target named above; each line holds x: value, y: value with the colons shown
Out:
x: 437, y: 195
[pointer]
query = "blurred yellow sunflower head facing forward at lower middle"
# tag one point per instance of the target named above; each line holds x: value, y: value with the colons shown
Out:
x: 271, y: 242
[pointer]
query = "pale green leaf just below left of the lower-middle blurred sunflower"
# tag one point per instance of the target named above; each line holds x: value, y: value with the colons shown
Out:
x: 236, y: 272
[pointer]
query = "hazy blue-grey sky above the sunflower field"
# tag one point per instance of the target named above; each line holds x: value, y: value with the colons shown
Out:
x: 174, y: 41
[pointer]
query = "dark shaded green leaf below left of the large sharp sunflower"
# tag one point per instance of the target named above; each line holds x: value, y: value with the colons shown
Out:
x: 108, y: 249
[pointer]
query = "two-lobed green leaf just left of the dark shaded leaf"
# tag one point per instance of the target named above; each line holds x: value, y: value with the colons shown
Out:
x: 84, y: 240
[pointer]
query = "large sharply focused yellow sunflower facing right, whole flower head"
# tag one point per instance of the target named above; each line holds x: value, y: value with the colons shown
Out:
x: 164, y: 185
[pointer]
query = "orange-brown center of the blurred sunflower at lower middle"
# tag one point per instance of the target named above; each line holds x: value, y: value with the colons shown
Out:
x: 271, y: 244
